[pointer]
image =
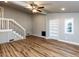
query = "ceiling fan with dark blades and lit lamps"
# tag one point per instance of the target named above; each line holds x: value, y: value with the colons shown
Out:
x: 35, y: 8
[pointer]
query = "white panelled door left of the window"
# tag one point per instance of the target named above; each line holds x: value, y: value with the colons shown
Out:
x: 54, y: 28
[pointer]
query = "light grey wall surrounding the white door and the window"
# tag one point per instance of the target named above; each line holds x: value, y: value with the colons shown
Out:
x: 61, y: 17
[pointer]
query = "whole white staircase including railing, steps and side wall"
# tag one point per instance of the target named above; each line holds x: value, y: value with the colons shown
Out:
x: 10, y: 29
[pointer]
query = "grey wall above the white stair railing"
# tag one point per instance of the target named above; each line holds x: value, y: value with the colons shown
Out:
x: 22, y: 18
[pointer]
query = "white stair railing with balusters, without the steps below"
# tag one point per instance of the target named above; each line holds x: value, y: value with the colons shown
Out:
x: 6, y: 24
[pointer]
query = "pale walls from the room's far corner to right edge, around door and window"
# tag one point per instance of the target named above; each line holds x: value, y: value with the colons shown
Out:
x: 40, y: 23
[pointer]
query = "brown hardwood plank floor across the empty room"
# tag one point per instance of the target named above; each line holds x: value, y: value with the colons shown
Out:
x: 38, y: 47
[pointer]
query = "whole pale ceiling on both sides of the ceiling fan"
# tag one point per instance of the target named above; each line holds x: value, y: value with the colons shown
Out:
x: 53, y: 6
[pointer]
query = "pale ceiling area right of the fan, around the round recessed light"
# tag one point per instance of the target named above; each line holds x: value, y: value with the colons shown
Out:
x: 55, y: 6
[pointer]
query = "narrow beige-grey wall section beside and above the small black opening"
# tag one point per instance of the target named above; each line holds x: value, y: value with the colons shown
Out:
x: 39, y: 22
